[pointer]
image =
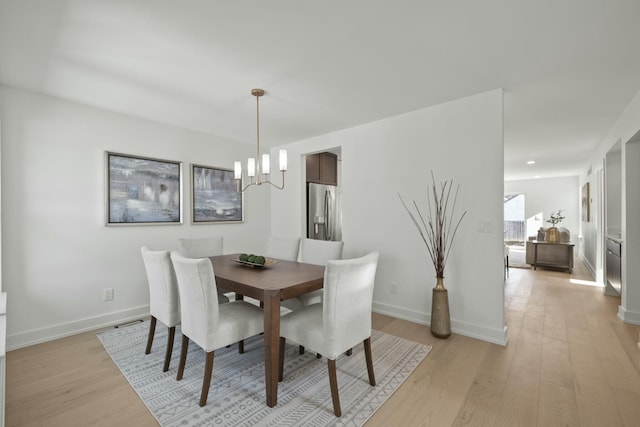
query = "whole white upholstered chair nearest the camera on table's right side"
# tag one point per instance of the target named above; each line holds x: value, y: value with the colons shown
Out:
x: 340, y: 322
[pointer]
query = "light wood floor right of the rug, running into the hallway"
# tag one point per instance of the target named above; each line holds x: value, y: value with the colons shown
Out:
x: 569, y: 362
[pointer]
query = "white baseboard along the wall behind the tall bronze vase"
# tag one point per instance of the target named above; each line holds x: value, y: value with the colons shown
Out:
x: 492, y: 335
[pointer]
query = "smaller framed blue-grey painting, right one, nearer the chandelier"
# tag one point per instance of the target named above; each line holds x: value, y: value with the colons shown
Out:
x: 214, y: 196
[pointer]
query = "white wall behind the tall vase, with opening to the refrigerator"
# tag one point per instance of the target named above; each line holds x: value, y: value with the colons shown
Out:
x: 460, y: 140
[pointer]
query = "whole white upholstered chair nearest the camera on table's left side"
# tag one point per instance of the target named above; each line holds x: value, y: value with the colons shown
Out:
x: 205, y: 322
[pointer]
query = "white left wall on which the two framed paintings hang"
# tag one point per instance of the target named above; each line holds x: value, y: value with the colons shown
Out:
x: 57, y: 254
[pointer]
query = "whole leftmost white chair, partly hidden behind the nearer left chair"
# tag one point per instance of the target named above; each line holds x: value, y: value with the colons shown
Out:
x: 164, y: 303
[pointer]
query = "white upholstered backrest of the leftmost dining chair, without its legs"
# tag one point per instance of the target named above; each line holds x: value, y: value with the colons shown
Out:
x: 164, y: 301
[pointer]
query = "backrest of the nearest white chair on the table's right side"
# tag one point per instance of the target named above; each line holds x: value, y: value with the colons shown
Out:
x: 347, y: 300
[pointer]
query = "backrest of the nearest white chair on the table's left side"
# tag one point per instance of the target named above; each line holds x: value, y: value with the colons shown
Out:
x: 198, y: 297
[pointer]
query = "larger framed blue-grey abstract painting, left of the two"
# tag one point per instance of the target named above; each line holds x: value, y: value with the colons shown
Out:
x: 142, y: 190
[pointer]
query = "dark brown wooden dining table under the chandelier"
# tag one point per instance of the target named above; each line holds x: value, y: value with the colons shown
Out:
x: 270, y: 285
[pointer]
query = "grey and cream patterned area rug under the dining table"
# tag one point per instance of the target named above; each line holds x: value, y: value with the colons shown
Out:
x: 237, y: 393
